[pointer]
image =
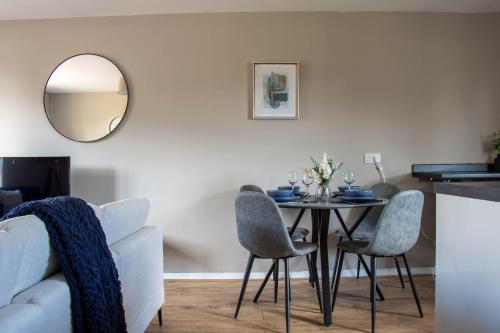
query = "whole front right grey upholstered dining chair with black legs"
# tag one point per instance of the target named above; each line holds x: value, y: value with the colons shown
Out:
x: 396, y: 232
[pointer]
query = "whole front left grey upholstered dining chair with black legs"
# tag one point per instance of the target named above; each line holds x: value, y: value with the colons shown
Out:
x: 262, y: 231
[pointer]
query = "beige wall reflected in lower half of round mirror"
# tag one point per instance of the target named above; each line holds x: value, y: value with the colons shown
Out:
x: 84, y: 116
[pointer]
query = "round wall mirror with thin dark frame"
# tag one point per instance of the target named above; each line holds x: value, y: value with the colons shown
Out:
x: 86, y: 97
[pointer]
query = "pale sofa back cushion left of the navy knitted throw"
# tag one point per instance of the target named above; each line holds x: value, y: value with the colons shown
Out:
x: 35, y: 256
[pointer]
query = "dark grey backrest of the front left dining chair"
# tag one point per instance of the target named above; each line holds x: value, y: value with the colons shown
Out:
x: 260, y: 226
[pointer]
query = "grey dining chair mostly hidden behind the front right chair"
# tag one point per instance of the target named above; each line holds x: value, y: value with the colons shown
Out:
x: 366, y: 229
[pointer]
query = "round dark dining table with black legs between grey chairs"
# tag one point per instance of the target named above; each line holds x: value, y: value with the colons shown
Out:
x: 320, y: 217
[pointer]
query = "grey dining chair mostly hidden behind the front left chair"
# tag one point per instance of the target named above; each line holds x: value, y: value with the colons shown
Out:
x: 299, y: 233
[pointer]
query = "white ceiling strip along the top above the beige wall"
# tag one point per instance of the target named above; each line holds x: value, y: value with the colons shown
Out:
x: 29, y: 9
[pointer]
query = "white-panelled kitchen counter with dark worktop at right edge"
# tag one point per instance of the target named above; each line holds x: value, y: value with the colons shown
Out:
x: 467, y: 270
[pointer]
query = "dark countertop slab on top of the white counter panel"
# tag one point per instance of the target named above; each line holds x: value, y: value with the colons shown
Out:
x: 489, y: 191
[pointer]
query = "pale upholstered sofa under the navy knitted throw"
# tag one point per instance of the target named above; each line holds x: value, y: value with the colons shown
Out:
x: 34, y: 296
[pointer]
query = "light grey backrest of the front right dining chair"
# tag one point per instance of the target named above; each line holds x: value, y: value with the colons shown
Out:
x: 399, y: 225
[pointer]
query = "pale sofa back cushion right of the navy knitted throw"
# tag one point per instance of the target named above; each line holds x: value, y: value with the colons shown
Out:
x: 122, y: 218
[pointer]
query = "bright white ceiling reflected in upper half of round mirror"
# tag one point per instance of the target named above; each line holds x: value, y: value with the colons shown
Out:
x: 85, y: 74
